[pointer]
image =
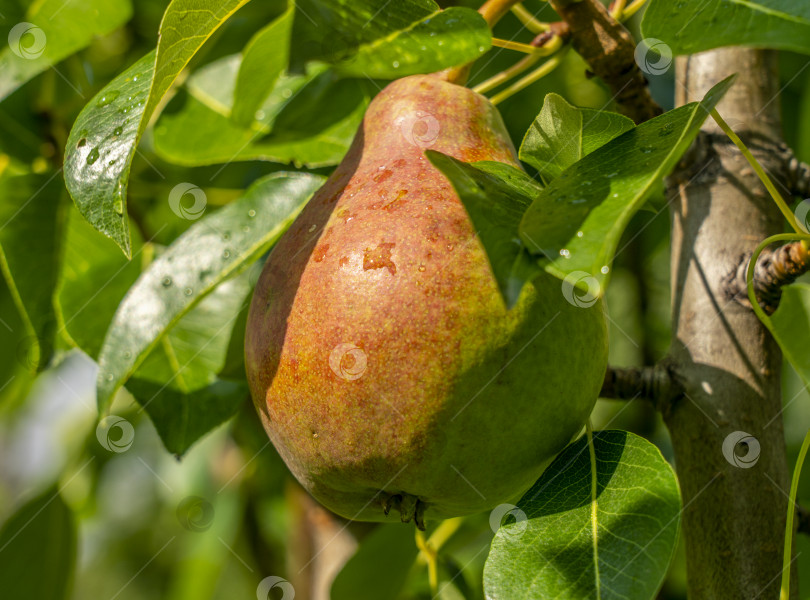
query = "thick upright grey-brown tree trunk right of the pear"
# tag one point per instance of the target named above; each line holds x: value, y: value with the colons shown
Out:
x: 729, y: 366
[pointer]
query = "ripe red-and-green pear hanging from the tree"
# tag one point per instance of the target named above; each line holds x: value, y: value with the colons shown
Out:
x: 380, y: 355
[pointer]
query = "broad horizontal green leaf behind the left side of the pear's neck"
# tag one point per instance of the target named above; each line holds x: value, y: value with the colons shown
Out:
x: 201, y: 132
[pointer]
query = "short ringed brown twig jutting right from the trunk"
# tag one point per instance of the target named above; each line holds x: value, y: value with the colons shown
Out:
x: 775, y: 268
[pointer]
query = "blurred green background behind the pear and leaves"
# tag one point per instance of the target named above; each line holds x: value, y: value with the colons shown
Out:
x: 227, y: 515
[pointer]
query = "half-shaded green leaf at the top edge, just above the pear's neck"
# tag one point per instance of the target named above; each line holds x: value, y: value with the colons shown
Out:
x: 386, y: 40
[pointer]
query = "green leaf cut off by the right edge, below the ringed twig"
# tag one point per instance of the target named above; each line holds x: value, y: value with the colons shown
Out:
x: 791, y: 327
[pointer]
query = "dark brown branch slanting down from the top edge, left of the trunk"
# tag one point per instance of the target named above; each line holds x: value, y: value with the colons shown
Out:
x: 609, y: 50
